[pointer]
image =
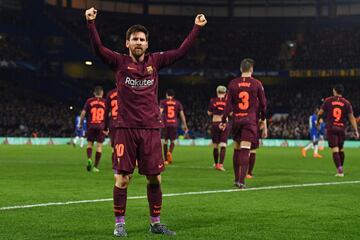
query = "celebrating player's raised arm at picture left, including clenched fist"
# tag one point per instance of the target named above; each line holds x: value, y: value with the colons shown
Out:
x: 107, y: 56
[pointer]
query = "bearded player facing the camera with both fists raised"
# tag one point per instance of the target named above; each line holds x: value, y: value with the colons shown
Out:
x: 137, y: 134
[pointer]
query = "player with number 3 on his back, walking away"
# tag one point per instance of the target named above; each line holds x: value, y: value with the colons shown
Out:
x: 246, y: 97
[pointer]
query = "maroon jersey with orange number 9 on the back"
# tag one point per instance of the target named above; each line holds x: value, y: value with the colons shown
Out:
x: 337, y: 110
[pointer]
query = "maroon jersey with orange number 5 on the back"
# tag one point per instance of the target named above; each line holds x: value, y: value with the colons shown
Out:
x: 171, y: 110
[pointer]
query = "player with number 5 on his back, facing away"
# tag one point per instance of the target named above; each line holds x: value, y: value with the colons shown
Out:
x: 169, y: 109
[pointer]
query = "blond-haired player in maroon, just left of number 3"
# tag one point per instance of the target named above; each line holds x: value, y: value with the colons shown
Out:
x: 219, y: 137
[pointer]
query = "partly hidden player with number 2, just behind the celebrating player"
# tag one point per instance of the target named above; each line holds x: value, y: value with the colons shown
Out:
x: 111, y: 116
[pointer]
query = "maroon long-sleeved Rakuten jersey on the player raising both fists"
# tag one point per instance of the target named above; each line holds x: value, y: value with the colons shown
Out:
x: 137, y: 82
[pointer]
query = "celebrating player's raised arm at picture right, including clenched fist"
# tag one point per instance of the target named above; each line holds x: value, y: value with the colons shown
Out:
x: 169, y: 57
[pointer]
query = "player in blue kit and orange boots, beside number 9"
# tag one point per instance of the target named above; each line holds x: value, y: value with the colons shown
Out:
x: 314, y: 136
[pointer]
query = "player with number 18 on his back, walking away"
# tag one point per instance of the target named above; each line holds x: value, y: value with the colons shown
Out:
x: 94, y: 109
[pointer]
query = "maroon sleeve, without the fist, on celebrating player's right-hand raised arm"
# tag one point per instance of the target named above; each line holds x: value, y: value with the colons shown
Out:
x: 167, y: 58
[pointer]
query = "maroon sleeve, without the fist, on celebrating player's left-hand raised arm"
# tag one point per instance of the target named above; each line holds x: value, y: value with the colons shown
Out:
x: 108, y: 56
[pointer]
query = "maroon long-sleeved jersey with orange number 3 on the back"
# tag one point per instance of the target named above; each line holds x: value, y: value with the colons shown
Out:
x: 247, y: 99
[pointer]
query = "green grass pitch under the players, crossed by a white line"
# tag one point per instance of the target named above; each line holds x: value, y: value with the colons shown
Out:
x: 44, y: 174
